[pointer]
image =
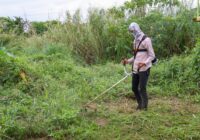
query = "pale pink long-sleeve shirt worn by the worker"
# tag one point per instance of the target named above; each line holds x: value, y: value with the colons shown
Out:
x: 143, y: 57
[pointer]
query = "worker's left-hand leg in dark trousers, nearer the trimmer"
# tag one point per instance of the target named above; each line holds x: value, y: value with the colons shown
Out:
x: 135, y: 86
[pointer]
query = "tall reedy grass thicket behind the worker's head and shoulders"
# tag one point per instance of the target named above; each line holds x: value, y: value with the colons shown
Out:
x: 105, y: 37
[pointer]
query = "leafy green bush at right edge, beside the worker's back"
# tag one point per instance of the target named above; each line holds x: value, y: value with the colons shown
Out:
x: 178, y: 75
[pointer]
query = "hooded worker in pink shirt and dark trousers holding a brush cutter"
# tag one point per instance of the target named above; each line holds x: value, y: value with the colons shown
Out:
x: 141, y: 64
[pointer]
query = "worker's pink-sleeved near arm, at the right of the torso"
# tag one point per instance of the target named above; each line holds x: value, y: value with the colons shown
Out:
x: 150, y: 51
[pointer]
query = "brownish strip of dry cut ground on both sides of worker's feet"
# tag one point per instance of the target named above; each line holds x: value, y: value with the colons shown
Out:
x: 170, y: 104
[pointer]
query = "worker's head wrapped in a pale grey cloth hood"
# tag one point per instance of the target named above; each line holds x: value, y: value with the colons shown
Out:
x: 134, y: 28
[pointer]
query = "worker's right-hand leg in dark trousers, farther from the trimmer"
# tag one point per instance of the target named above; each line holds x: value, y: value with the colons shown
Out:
x: 143, y: 78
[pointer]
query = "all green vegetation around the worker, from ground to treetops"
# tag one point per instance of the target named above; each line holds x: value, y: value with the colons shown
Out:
x: 47, y: 75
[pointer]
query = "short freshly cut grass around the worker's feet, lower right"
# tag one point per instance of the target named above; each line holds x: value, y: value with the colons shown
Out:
x: 167, y: 118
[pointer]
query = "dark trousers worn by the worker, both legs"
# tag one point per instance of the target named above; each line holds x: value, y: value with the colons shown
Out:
x: 139, y: 83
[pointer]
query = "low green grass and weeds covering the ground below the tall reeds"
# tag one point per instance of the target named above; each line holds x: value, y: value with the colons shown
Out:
x: 50, y: 105
